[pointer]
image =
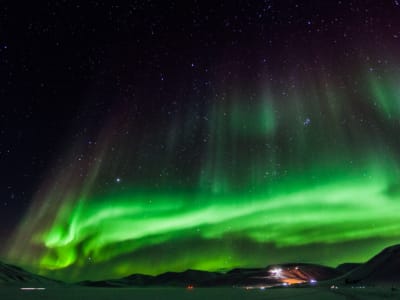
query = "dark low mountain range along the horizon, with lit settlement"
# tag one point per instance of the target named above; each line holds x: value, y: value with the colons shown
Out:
x: 381, y: 270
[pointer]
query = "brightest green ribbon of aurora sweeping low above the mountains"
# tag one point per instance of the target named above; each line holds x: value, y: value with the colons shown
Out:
x: 127, y: 222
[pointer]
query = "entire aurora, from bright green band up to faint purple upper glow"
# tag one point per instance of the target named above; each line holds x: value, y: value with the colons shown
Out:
x: 244, y: 159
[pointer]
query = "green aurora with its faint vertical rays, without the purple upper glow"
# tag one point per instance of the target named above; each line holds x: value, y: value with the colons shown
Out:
x: 262, y: 177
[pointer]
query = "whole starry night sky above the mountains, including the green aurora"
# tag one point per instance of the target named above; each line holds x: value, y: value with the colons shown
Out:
x: 166, y: 135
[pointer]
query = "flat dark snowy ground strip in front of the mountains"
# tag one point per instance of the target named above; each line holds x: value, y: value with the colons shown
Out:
x: 197, y: 293
